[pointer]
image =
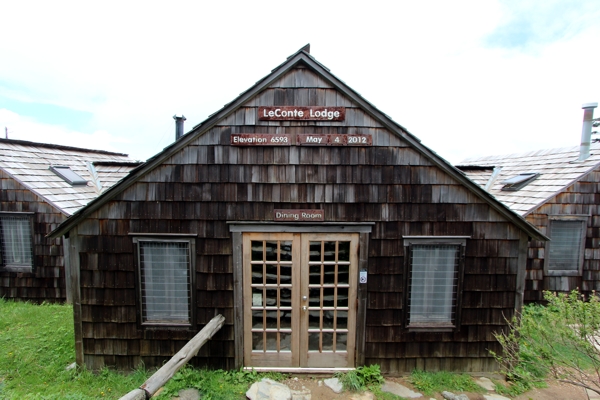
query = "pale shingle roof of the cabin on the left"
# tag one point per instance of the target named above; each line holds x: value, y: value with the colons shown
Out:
x: 29, y: 163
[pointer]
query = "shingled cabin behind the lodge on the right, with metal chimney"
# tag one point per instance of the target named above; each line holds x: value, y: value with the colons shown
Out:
x: 558, y: 191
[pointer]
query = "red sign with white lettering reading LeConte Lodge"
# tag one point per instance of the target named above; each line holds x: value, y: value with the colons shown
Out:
x: 293, y: 113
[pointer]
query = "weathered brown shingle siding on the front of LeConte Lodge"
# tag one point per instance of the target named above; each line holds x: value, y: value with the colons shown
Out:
x: 210, y: 182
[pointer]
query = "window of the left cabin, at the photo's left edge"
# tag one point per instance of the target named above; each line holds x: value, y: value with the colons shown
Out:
x: 17, y: 238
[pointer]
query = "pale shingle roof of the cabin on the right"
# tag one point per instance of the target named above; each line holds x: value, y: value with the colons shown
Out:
x: 557, y: 169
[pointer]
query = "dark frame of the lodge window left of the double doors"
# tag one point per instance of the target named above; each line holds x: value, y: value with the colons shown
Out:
x: 190, y: 240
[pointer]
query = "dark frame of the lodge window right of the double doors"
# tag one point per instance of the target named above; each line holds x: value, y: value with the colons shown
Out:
x: 409, y: 243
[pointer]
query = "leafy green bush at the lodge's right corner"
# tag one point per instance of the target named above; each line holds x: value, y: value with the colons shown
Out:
x: 557, y: 340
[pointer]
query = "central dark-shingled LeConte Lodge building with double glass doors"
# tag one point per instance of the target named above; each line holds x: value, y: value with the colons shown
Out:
x: 327, y: 235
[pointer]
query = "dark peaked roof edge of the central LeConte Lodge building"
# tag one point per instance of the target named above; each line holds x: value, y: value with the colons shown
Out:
x: 301, y: 58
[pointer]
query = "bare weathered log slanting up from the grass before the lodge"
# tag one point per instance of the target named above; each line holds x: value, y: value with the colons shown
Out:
x: 166, y: 372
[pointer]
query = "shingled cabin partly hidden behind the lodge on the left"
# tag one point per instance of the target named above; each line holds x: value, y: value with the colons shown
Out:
x: 40, y: 186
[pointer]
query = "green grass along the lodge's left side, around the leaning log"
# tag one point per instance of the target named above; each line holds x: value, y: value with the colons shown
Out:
x: 37, y: 344
